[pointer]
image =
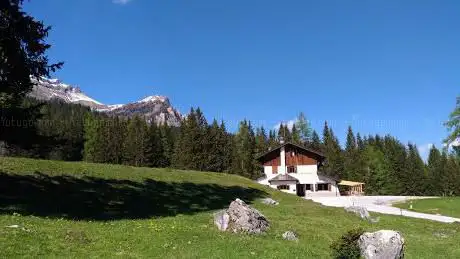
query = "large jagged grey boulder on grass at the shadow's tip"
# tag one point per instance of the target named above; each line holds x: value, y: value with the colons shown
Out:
x: 241, y: 218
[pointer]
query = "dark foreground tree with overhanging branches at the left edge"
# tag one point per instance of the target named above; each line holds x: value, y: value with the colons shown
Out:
x: 22, y: 56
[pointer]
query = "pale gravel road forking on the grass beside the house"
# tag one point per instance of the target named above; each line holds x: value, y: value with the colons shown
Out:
x: 381, y: 204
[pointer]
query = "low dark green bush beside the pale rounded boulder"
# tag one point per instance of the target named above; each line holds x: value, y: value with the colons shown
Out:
x: 347, y: 246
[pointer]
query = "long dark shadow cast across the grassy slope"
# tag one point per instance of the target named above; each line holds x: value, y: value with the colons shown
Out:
x: 92, y: 198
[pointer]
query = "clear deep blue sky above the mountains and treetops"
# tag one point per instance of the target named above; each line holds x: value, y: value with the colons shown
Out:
x: 383, y: 66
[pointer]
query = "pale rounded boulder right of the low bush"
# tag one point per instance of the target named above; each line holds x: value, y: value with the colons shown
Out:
x: 383, y: 244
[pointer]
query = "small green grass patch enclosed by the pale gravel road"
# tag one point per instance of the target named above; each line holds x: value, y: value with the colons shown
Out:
x: 449, y: 206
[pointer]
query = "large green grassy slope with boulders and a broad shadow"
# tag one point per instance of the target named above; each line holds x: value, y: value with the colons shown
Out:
x: 168, y: 213
